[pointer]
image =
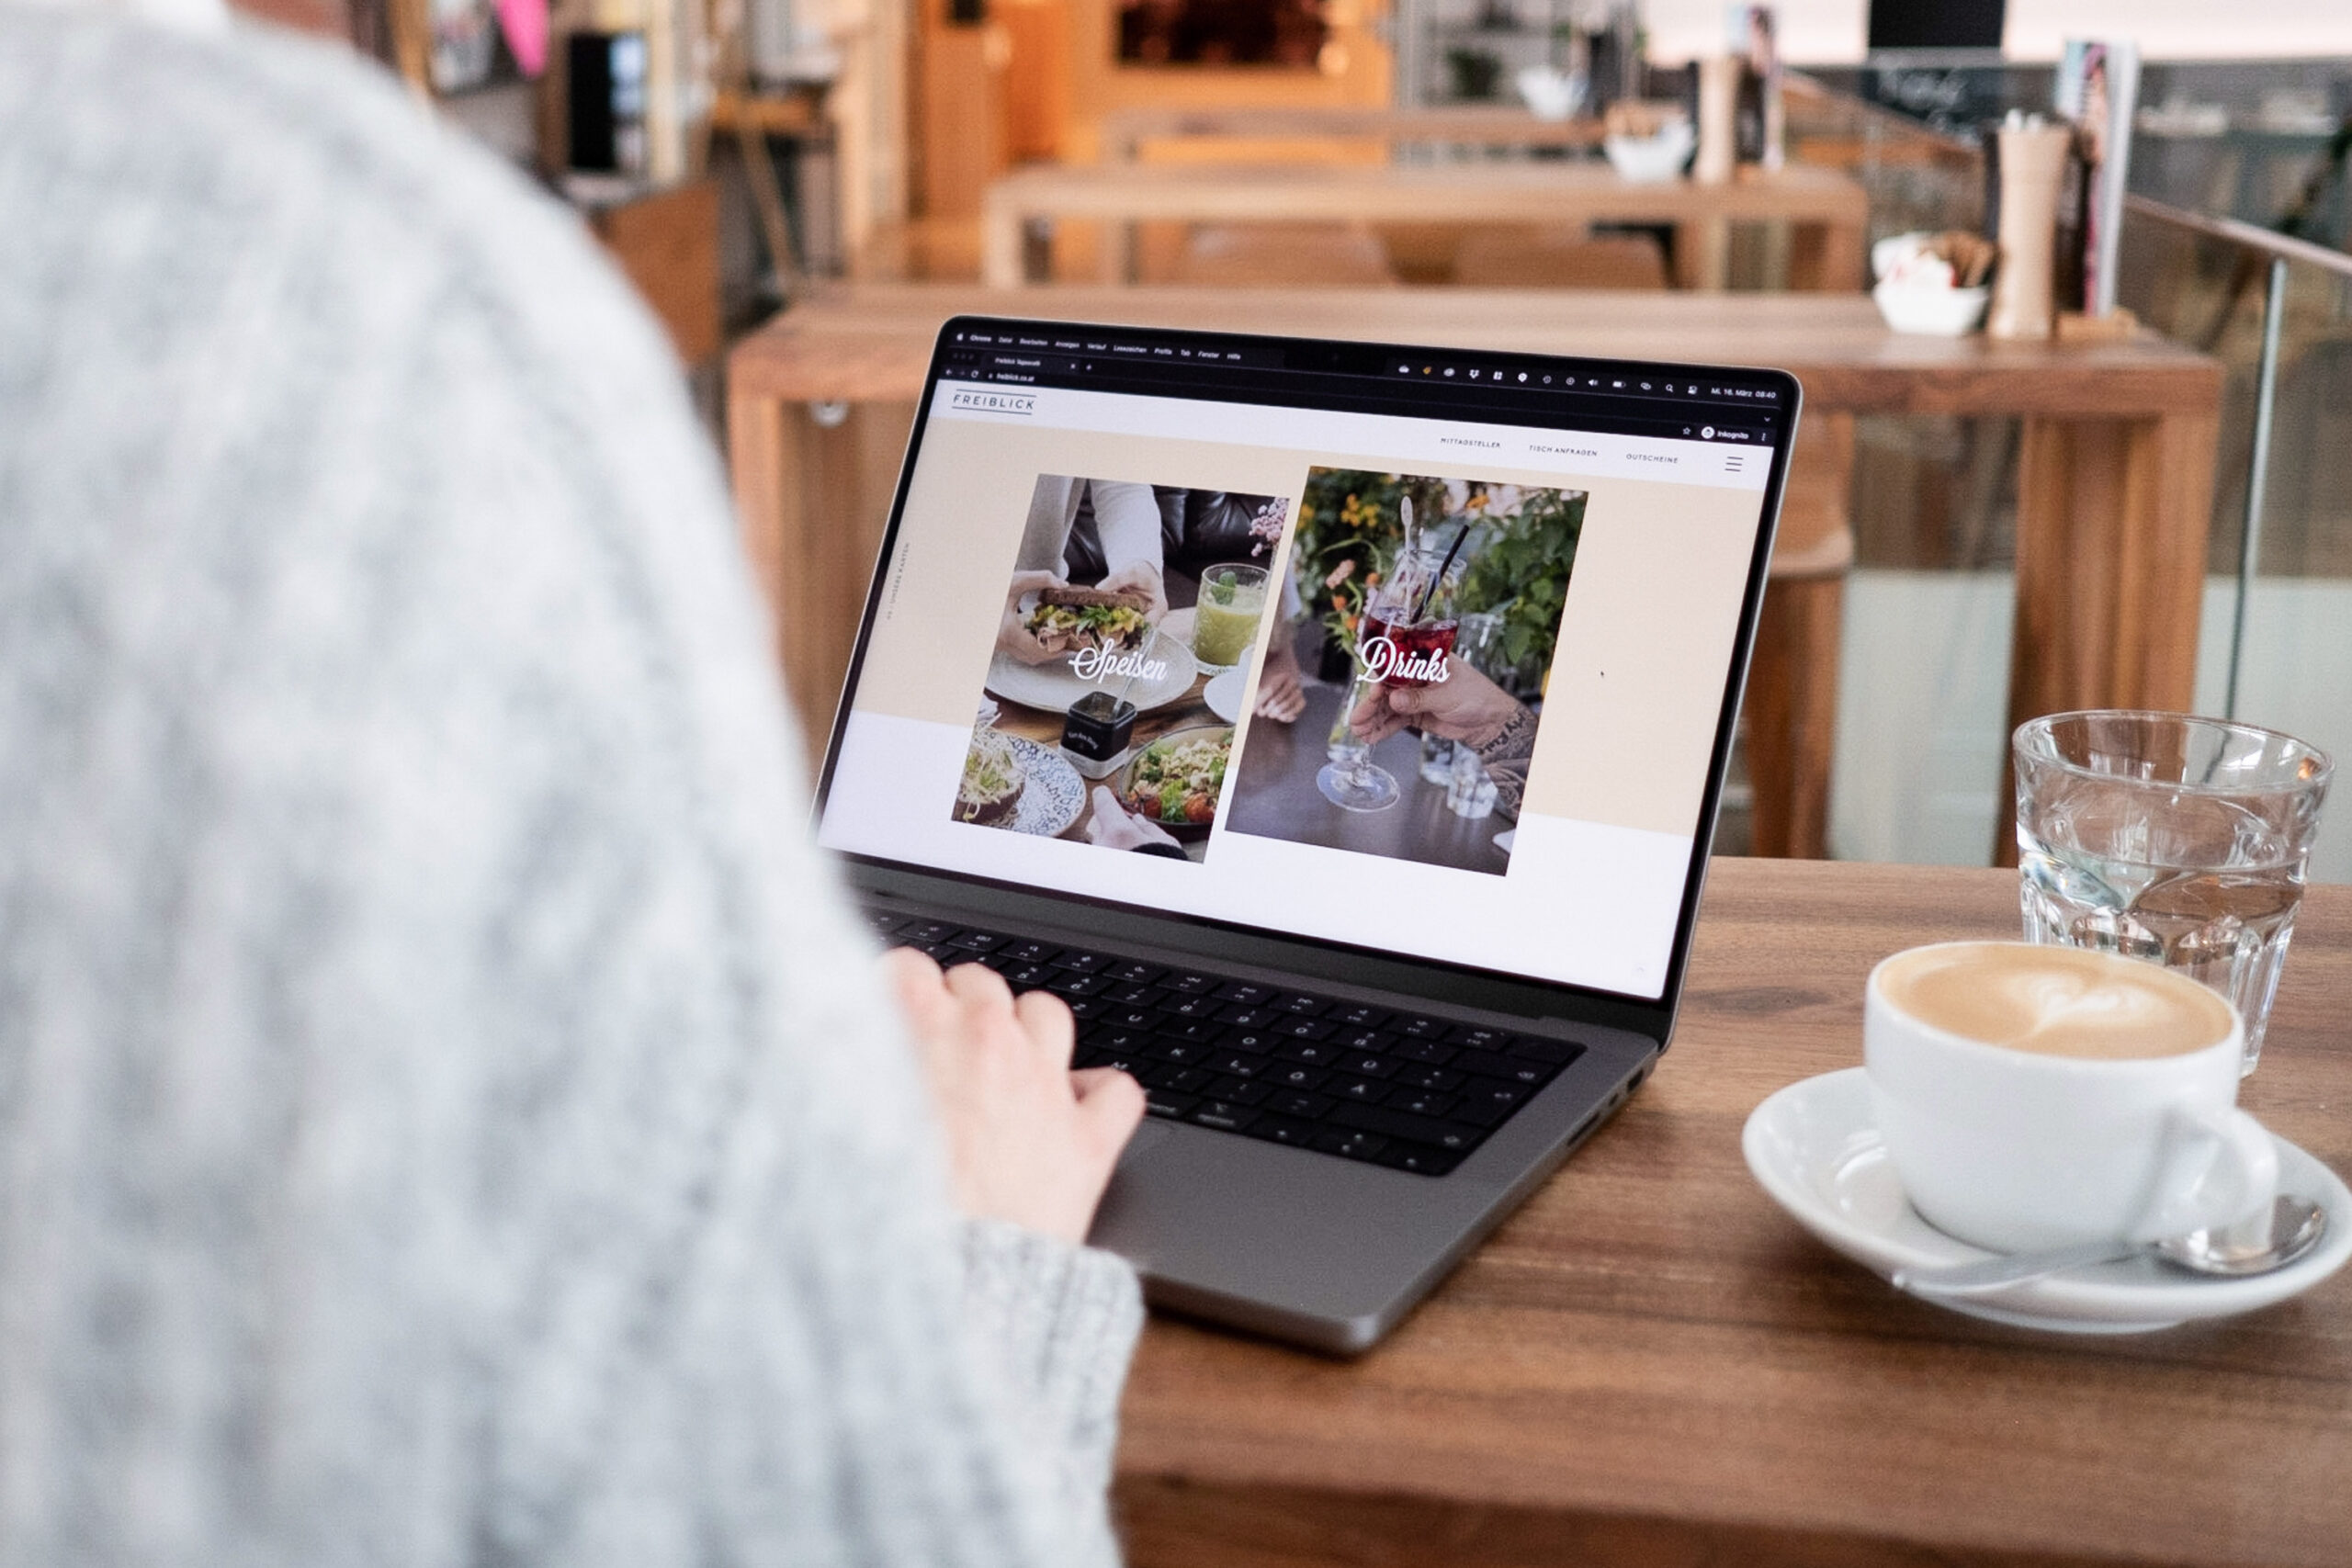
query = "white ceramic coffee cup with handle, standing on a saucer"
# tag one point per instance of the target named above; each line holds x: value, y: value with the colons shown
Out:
x: 2019, y: 1151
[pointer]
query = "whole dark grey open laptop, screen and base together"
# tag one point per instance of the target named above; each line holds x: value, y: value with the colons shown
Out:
x: 1339, y: 728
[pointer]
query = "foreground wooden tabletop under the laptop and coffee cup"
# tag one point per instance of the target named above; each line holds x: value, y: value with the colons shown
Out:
x: 1652, y: 1365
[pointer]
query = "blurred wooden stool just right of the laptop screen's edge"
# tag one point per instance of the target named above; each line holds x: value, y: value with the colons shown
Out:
x: 1793, y: 681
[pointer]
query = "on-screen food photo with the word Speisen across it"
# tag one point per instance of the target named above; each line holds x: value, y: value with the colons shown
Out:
x: 1114, y: 692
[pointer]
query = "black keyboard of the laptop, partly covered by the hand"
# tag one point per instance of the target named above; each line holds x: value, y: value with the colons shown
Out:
x: 1257, y: 1061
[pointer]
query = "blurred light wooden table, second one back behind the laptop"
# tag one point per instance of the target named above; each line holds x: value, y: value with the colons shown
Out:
x: 1826, y: 208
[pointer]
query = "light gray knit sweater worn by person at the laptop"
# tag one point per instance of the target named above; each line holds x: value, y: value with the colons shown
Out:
x: 446, y: 1111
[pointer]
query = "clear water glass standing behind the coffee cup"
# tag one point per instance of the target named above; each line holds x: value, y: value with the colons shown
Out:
x: 2172, y: 840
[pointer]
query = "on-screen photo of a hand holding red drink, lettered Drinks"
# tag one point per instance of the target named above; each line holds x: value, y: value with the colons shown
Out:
x: 1431, y: 617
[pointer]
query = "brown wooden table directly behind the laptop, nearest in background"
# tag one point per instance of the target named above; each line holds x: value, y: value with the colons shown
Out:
x: 2113, y: 492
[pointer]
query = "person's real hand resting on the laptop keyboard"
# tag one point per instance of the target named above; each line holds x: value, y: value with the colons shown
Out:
x: 1029, y: 1141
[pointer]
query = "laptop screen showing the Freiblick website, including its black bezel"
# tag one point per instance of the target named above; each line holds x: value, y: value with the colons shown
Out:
x: 1412, y: 652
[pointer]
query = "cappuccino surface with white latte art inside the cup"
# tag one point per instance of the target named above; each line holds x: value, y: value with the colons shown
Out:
x: 2054, y: 1000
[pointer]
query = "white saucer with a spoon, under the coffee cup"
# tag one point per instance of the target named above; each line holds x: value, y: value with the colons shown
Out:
x: 1817, y: 1153
